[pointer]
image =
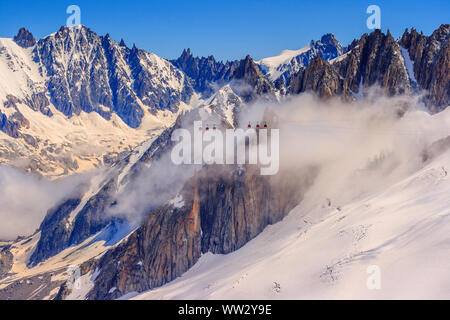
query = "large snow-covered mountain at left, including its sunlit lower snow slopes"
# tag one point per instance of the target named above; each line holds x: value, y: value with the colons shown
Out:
x: 74, y: 100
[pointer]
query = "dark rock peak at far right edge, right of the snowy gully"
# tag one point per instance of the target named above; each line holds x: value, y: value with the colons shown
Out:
x: 431, y: 56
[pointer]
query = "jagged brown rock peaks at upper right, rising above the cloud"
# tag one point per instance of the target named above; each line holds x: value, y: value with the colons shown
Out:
x: 376, y: 60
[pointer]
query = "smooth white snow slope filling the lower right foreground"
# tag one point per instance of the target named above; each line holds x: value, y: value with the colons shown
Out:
x: 324, y: 252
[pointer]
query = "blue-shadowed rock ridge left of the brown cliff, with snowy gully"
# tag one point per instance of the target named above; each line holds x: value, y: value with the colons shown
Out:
x: 74, y: 220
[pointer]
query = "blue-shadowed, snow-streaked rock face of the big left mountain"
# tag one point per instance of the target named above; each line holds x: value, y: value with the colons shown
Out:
x: 91, y: 73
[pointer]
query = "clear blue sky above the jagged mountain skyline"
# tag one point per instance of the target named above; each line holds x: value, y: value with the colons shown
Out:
x: 227, y: 29
